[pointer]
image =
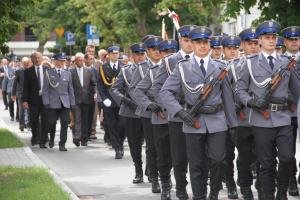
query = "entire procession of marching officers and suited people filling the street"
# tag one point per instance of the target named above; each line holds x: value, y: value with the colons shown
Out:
x: 193, y: 101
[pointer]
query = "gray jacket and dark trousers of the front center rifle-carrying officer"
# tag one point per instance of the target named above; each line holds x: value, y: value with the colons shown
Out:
x: 188, y: 79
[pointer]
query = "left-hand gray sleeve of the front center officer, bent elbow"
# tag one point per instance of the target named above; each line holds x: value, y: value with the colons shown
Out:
x: 170, y: 89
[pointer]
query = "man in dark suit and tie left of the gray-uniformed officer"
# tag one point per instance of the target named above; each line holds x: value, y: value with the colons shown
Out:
x: 32, y: 99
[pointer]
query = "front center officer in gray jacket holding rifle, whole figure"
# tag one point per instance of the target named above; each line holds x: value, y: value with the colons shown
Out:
x: 205, y: 131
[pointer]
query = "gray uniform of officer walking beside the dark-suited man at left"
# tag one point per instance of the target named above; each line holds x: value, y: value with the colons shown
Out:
x: 58, y: 96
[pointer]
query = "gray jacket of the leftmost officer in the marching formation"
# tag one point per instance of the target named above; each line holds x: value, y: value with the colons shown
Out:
x: 120, y: 89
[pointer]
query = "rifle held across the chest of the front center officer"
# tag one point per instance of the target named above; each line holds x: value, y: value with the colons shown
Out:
x: 206, y: 91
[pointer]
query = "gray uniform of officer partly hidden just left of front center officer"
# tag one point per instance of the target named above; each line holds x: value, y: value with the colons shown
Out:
x: 177, y: 138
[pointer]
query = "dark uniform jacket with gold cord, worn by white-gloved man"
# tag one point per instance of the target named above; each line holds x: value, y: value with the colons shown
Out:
x: 109, y: 75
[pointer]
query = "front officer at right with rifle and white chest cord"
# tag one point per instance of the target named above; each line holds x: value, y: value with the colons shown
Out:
x: 270, y: 118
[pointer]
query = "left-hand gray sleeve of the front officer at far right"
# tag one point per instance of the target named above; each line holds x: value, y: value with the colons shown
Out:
x: 243, y: 83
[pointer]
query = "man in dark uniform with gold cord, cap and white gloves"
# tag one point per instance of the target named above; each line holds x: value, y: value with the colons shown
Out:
x: 108, y: 73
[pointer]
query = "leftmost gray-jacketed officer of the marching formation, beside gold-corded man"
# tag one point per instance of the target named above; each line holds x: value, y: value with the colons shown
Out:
x: 133, y: 128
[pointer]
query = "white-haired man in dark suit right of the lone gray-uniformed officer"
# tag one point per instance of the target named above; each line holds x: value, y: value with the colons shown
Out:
x: 84, y: 84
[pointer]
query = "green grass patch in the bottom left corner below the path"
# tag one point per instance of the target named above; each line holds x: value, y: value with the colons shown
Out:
x: 29, y: 183
